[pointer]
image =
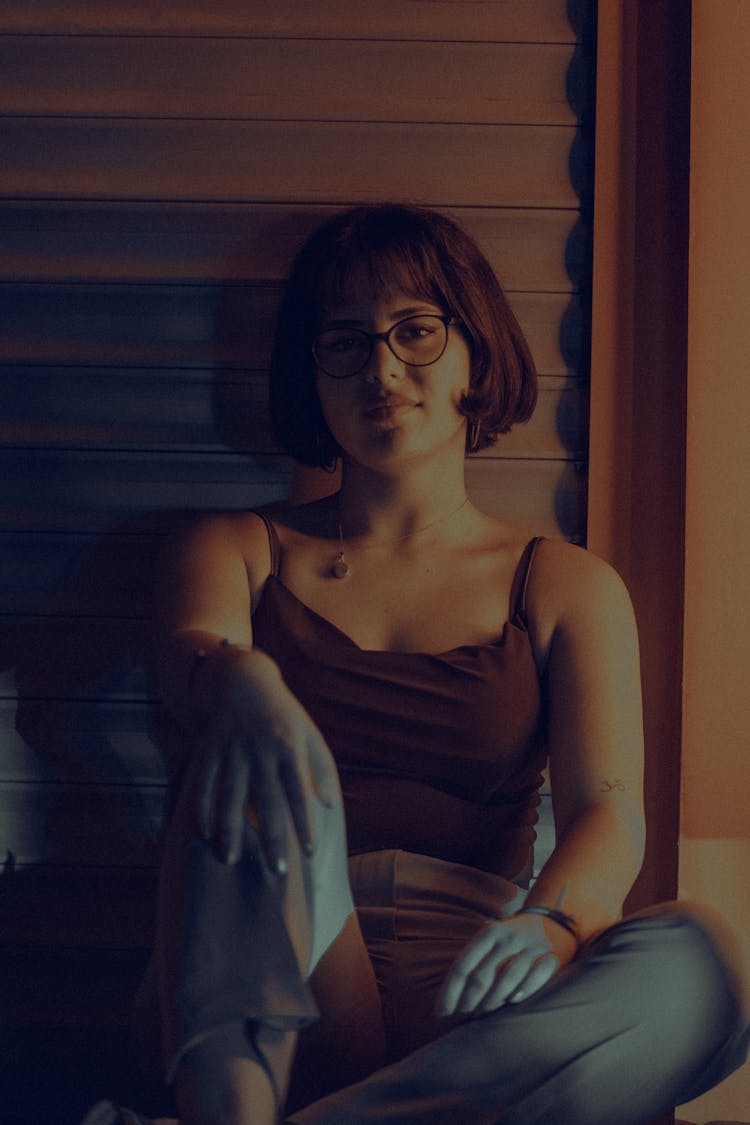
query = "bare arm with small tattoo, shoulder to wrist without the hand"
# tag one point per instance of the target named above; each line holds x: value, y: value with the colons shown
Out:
x: 597, y: 740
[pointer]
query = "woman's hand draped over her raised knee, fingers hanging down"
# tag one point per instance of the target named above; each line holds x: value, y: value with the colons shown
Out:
x: 264, y: 752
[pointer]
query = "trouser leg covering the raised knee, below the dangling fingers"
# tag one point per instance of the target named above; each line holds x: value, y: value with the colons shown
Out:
x: 238, y: 944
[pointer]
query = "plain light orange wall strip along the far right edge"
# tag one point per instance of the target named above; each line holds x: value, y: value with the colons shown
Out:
x: 715, y: 851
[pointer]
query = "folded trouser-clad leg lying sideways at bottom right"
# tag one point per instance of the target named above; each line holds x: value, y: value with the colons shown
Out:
x: 644, y: 1020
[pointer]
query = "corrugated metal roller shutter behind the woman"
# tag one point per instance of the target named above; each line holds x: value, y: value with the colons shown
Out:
x: 159, y: 166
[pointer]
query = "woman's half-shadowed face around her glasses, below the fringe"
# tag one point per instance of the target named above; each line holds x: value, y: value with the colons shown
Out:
x: 392, y: 411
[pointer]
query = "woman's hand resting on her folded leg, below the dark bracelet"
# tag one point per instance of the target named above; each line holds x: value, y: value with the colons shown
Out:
x: 507, y: 962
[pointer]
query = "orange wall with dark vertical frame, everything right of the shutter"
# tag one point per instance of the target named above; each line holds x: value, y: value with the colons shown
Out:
x: 671, y: 431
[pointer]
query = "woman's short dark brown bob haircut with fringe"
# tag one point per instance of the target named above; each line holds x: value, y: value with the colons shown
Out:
x: 377, y: 250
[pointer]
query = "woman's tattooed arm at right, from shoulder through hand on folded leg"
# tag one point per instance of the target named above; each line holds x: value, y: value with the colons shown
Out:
x: 585, y: 637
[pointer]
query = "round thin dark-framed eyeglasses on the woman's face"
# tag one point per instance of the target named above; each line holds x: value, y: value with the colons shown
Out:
x: 417, y: 341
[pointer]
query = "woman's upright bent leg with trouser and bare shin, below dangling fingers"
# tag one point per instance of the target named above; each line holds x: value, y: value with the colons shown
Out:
x: 236, y: 947
